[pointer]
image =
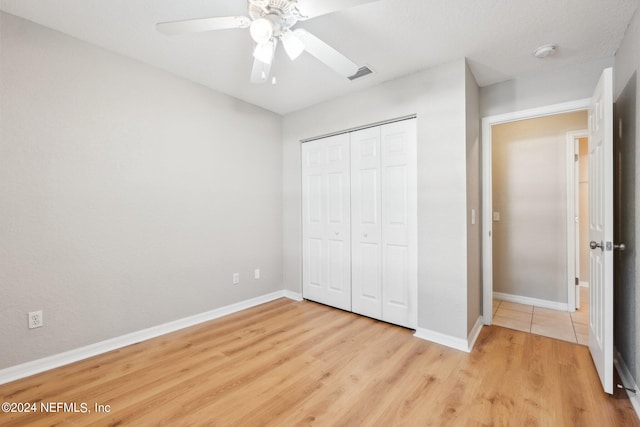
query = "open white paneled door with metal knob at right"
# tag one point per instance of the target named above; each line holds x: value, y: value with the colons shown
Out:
x: 601, y: 229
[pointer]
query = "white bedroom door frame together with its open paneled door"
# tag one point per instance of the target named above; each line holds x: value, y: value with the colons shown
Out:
x: 601, y: 243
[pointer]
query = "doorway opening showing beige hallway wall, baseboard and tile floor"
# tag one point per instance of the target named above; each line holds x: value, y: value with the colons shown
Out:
x: 534, y: 219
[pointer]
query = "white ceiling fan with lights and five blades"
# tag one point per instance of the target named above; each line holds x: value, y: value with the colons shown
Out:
x: 272, y: 20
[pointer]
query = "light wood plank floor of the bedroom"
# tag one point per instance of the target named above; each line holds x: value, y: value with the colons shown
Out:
x: 289, y: 363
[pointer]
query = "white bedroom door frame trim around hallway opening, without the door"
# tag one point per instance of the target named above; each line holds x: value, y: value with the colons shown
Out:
x: 487, y: 198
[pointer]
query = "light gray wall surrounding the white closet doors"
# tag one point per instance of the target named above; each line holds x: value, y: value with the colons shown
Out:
x: 437, y: 96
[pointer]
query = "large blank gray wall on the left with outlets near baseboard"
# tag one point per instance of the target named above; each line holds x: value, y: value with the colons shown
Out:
x: 128, y: 196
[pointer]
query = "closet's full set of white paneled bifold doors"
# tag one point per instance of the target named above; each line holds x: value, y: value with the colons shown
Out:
x: 359, y: 210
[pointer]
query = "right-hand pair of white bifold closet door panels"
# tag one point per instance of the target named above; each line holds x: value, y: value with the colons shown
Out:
x: 384, y: 223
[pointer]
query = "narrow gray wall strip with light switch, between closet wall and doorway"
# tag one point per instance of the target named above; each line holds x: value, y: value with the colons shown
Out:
x: 474, y: 189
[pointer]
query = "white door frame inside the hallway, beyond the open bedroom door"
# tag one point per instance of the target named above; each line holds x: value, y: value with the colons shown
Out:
x: 573, y: 228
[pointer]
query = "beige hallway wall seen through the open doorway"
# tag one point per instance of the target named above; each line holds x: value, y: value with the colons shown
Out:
x: 529, y: 192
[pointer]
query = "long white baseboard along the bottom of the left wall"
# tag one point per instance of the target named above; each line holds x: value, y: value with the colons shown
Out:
x: 40, y: 365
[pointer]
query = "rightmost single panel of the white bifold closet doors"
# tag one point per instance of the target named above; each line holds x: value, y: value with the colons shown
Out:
x: 398, y: 147
